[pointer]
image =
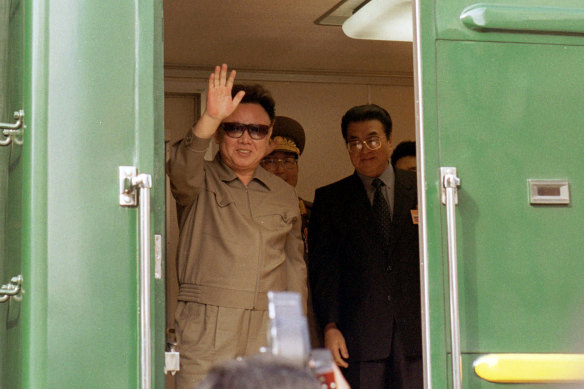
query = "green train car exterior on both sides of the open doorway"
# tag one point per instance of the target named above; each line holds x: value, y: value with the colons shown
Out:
x: 499, y: 90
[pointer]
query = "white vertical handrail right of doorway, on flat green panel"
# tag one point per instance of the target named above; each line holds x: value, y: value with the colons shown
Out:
x: 450, y: 183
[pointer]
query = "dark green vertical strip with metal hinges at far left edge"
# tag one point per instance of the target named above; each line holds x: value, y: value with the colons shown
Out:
x: 11, y: 177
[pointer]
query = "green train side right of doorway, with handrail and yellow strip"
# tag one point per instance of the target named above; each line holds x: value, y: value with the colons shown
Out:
x: 500, y: 87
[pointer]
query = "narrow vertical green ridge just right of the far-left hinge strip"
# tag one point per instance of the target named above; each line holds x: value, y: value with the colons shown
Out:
x: 35, y: 307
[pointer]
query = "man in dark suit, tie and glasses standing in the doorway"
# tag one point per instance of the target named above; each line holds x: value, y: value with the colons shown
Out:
x: 364, y: 261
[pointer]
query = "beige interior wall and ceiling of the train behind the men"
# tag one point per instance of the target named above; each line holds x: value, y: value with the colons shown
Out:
x: 299, y: 52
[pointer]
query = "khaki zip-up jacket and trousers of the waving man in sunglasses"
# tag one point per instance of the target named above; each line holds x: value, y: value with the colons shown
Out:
x: 236, y: 243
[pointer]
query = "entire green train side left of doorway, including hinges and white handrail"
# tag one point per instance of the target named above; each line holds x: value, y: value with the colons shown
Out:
x: 82, y: 193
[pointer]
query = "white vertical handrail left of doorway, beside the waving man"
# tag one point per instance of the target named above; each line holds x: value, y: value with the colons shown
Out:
x: 130, y: 182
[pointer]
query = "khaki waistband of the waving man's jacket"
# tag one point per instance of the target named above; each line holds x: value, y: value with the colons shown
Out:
x: 222, y: 297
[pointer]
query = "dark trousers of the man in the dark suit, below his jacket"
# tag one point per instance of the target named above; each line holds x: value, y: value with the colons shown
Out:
x: 395, y: 372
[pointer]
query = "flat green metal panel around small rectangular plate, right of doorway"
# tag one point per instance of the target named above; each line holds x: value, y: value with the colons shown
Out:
x: 512, y: 120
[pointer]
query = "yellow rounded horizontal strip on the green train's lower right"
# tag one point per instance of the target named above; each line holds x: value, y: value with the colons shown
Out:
x: 530, y: 368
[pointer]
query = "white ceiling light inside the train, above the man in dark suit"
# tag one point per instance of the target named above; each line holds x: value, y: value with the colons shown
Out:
x: 388, y: 20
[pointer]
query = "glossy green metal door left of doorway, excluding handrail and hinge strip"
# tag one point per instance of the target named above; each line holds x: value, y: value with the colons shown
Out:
x: 93, y: 81
